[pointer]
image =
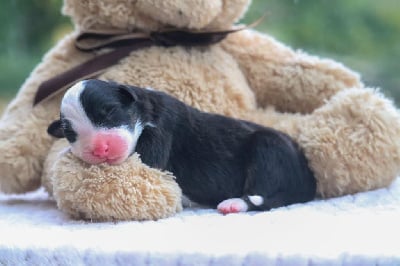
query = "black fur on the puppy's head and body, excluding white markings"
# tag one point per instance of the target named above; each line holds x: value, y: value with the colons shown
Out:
x: 213, y: 157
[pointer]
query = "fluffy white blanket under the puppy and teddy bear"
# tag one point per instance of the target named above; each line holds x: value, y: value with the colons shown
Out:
x: 362, y: 229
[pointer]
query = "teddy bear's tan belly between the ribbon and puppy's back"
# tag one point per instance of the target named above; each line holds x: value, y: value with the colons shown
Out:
x: 207, y: 79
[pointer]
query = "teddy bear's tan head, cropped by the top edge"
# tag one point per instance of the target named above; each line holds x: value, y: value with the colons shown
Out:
x: 150, y: 15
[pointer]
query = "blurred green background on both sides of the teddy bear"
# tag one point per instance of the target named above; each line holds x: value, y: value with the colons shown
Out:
x: 362, y: 34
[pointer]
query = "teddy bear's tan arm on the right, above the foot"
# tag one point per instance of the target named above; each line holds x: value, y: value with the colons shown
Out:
x: 290, y: 80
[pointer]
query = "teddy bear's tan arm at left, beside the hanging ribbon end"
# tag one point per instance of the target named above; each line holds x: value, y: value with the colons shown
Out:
x: 24, y: 142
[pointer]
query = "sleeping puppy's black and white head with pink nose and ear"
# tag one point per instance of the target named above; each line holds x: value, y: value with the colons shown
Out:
x: 101, y: 120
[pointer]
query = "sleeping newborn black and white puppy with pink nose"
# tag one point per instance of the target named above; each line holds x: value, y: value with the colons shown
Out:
x: 232, y: 164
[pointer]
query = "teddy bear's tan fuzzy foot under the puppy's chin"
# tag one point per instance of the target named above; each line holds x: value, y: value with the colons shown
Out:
x: 130, y: 191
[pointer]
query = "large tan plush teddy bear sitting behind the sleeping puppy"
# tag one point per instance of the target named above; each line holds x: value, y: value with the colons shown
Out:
x: 350, y: 134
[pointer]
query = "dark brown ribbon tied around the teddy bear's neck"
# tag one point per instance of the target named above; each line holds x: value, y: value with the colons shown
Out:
x: 123, y: 44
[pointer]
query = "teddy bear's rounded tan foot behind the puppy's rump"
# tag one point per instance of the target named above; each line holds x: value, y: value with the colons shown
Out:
x: 353, y: 142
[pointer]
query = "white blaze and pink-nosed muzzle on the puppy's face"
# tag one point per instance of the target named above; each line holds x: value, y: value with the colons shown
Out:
x: 96, y: 144
